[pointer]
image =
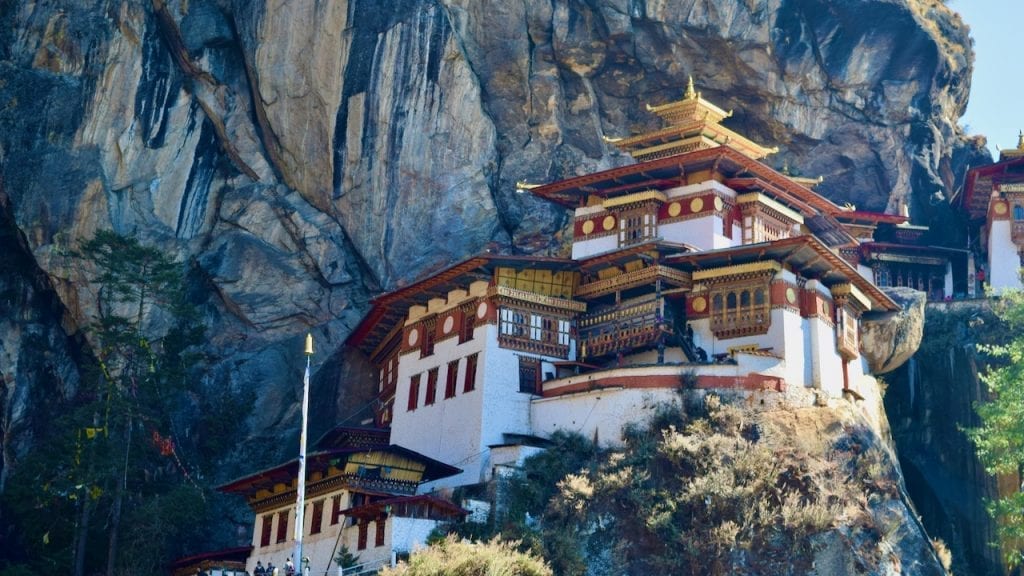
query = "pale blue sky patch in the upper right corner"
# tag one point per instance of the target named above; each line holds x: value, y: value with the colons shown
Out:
x: 996, y: 109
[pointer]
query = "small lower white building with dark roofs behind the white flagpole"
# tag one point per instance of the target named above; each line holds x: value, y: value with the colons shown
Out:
x: 361, y: 498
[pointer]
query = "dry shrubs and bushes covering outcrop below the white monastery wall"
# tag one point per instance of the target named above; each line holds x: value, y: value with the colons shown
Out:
x: 712, y: 488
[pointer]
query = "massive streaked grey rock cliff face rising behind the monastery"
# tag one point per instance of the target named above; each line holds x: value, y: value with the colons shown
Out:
x: 303, y: 156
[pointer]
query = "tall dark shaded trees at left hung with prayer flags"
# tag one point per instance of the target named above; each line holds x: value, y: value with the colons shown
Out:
x: 119, y: 468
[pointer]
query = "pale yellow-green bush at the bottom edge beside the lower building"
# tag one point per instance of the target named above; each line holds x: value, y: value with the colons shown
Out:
x: 453, y: 557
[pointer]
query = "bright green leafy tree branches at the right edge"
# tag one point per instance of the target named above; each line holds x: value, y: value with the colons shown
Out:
x: 1000, y: 439
